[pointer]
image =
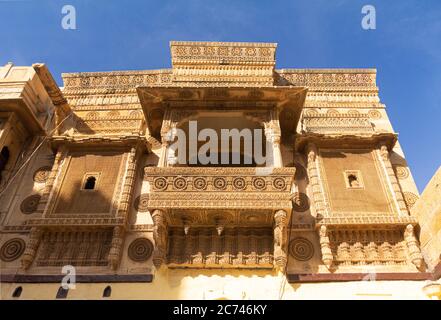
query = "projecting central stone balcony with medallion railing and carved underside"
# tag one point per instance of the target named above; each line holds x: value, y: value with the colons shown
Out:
x: 236, y: 217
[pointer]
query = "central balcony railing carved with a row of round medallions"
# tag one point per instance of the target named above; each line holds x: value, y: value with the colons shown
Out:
x: 220, y: 188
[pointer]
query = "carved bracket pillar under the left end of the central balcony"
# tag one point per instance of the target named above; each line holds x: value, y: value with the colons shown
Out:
x: 160, y: 236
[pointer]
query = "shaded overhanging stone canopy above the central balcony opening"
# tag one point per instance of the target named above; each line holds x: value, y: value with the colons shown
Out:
x: 288, y: 101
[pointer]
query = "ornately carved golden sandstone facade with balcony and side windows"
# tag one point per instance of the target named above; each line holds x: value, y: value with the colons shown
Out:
x: 103, y: 192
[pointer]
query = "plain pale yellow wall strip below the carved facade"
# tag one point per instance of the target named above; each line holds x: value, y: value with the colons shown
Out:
x: 246, y: 285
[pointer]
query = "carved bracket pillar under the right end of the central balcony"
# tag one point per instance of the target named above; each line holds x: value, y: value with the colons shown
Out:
x: 280, y: 239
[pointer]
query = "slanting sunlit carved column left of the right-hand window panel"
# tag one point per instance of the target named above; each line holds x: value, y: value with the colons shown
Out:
x: 314, y: 180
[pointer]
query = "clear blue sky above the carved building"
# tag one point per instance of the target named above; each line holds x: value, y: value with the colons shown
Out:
x: 122, y: 35
